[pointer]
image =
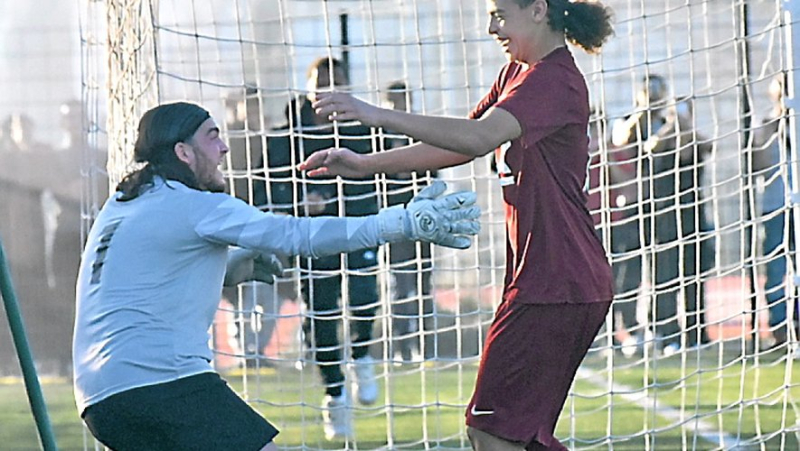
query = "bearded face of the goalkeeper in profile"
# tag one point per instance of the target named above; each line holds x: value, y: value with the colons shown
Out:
x: 206, y: 151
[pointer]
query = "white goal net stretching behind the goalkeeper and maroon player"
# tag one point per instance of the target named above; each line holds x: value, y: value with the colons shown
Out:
x: 689, y: 183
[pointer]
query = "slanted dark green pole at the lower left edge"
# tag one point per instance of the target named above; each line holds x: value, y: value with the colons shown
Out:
x: 34, y: 390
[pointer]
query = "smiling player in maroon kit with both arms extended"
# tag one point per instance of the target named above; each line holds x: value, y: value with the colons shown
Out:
x: 558, y: 285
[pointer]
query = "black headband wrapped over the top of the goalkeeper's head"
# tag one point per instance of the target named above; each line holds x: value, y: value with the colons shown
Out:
x: 164, y: 126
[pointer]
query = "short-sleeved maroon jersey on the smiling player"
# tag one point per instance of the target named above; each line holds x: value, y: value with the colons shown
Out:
x: 553, y: 254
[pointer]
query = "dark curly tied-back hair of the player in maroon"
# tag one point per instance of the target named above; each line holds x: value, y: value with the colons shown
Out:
x: 585, y: 23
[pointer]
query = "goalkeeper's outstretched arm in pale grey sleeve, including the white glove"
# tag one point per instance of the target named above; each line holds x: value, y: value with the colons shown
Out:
x: 447, y: 220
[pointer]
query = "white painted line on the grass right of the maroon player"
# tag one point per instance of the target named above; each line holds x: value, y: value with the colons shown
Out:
x: 702, y: 428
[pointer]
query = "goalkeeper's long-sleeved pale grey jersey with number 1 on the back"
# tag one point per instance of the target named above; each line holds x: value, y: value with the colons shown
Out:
x: 152, y: 271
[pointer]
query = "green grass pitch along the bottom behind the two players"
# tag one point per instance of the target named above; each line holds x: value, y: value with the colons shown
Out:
x: 740, y: 399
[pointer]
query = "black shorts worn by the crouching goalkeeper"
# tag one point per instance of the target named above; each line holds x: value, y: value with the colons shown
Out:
x: 195, y: 413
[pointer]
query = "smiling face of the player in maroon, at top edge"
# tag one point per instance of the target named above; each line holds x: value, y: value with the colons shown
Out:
x: 512, y: 27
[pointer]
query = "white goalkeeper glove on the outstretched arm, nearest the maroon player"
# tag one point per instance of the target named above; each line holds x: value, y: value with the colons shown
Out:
x: 447, y: 221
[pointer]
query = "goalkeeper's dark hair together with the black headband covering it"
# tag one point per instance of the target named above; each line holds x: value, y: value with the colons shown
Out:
x: 159, y: 130
